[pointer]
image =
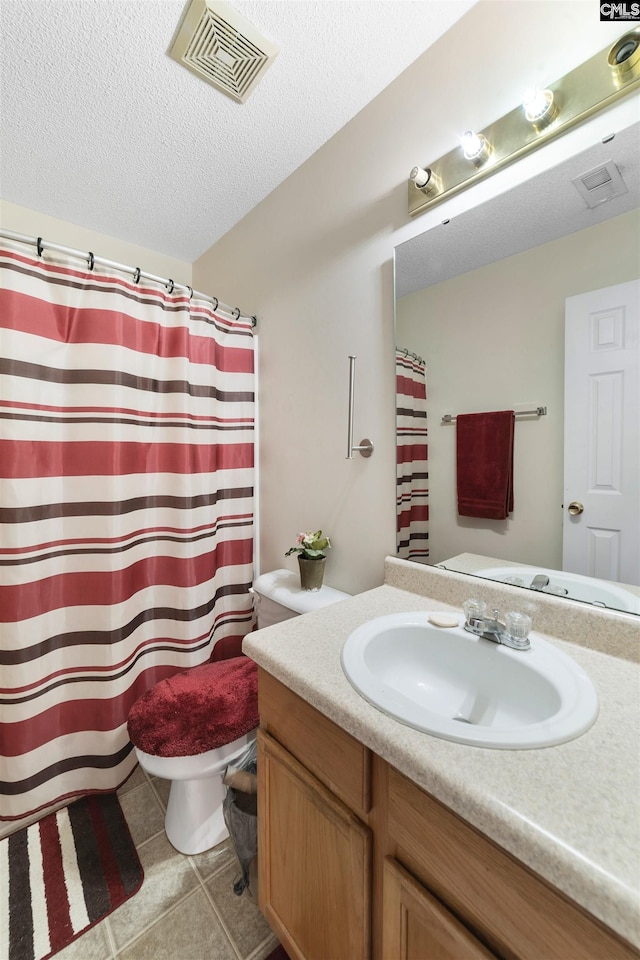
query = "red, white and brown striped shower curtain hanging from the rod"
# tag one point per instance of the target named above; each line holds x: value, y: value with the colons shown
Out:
x: 126, y: 515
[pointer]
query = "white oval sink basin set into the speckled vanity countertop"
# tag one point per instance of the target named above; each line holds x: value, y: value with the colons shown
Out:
x: 454, y: 685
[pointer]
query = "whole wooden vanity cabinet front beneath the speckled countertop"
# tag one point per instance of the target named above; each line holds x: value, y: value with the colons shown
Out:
x: 356, y: 861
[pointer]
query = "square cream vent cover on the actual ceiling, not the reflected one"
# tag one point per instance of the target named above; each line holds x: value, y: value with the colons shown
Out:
x: 220, y: 46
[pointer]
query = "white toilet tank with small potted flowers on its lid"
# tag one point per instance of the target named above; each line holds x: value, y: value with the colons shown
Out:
x: 279, y: 597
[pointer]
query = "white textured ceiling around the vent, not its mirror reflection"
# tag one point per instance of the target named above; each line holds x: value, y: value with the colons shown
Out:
x: 102, y: 129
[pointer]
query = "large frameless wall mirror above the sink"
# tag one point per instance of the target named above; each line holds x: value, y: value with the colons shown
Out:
x: 486, y: 300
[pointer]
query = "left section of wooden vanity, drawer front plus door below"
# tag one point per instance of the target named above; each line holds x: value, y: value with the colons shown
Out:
x: 314, y: 865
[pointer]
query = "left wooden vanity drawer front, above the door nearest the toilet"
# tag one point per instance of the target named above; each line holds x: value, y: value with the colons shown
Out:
x: 333, y: 756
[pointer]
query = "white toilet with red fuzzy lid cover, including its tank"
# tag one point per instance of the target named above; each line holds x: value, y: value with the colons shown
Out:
x: 191, y: 726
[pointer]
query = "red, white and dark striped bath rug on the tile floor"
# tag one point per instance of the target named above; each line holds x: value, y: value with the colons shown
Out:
x: 64, y: 874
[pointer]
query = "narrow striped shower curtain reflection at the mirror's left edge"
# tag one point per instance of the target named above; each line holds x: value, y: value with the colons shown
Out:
x: 412, y: 505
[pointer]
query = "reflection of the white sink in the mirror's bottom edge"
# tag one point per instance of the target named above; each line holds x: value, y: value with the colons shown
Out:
x: 587, y: 589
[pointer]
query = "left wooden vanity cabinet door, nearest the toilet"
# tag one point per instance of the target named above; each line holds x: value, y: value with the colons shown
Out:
x: 314, y: 862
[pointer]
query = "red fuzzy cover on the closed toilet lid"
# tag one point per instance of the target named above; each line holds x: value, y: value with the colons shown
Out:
x: 197, y: 710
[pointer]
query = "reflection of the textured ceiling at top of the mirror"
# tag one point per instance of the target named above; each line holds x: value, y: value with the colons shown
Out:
x: 540, y: 210
